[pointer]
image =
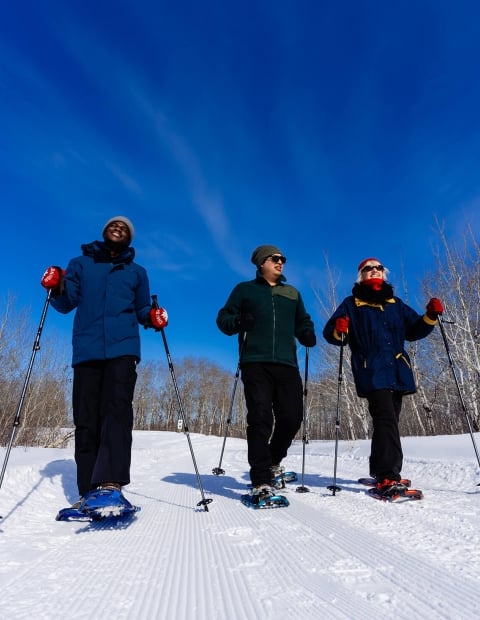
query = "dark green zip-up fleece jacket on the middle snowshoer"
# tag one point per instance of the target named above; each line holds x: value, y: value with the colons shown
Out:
x: 279, y: 315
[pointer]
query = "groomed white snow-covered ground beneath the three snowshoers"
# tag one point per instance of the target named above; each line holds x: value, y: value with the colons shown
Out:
x: 343, y: 556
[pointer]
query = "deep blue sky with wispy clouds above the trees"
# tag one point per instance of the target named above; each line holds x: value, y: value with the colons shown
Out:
x: 330, y: 129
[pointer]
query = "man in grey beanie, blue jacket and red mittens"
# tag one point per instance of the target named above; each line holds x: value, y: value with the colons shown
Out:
x: 111, y: 295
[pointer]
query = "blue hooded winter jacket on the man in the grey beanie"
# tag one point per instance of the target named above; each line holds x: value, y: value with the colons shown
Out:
x: 111, y: 297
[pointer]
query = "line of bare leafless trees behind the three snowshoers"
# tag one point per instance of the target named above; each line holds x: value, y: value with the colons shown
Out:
x: 212, y: 397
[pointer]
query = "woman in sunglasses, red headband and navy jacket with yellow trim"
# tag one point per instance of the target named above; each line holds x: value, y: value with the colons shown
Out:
x: 375, y: 324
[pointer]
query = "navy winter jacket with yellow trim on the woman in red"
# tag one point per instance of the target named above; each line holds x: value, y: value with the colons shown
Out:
x: 376, y: 336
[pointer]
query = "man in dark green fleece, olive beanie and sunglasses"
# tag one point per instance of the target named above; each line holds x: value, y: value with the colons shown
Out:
x: 268, y: 315
